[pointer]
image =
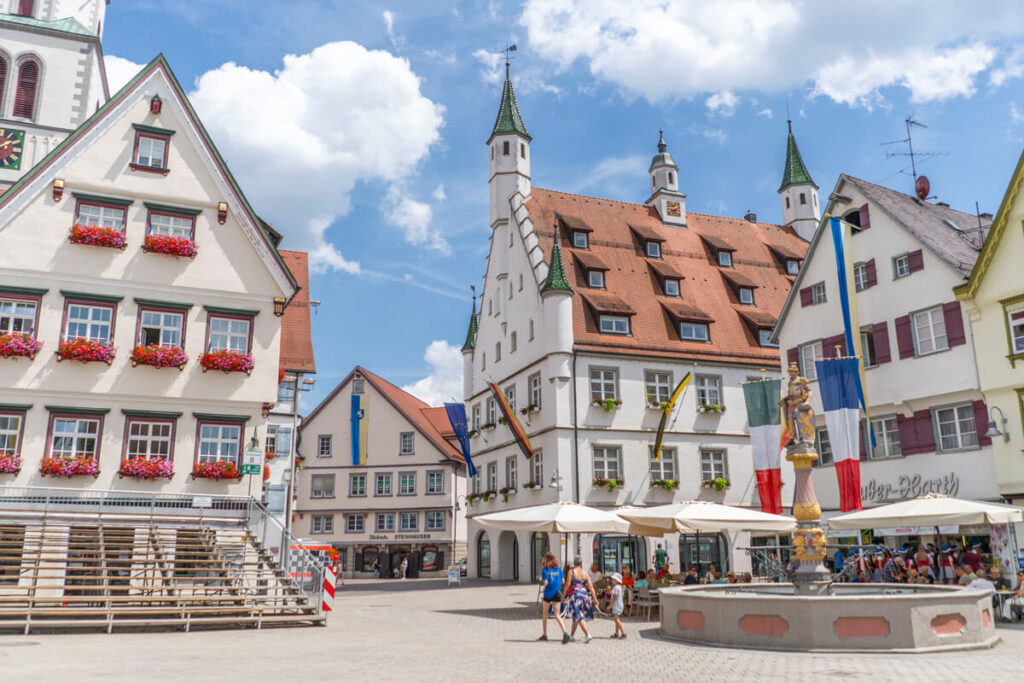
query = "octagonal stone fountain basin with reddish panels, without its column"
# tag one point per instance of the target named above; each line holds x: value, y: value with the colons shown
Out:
x: 869, y: 618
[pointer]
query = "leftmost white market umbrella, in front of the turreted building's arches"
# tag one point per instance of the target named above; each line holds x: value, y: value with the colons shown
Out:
x: 556, y: 519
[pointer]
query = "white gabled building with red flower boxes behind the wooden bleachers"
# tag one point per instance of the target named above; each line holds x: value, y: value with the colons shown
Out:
x: 190, y: 279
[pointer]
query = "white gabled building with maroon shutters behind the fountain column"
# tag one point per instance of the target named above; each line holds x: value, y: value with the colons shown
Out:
x: 922, y: 380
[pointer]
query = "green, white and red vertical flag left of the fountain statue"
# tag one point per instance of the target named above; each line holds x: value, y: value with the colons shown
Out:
x: 764, y: 419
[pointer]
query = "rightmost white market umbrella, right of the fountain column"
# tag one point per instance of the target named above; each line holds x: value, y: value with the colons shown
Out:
x: 930, y: 510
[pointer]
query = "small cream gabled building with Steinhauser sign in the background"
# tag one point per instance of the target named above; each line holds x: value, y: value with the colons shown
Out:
x: 401, y: 502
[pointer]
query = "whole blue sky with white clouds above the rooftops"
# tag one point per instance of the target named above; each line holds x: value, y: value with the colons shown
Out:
x: 367, y: 146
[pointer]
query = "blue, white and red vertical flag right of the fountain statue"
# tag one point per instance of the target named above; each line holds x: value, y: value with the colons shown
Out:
x: 838, y: 383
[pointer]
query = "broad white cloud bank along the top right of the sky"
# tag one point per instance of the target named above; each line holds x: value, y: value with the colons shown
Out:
x: 665, y: 51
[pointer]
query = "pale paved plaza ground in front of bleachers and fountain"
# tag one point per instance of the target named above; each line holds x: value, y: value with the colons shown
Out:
x: 423, y: 631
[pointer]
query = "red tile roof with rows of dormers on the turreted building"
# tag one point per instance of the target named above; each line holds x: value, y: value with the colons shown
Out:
x: 634, y: 282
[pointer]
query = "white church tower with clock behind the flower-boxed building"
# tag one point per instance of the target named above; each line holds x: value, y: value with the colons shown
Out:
x: 52, y: 77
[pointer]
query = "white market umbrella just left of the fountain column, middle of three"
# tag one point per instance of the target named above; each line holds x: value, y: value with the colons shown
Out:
x: 703, y: 517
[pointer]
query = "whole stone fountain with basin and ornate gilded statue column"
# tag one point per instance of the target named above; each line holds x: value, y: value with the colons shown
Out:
x: 813, y: 614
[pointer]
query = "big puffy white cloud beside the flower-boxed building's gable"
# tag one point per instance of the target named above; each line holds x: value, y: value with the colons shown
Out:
x: 327, y: 120
